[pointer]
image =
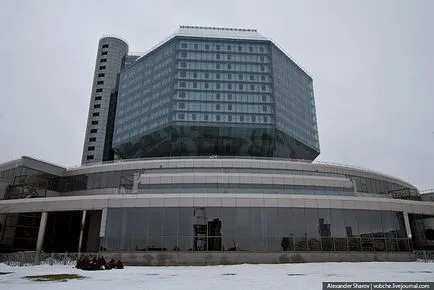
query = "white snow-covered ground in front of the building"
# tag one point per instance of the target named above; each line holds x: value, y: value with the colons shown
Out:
x: 283, y: 276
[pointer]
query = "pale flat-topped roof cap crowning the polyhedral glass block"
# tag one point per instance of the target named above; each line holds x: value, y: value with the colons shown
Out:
x: 219, y: 32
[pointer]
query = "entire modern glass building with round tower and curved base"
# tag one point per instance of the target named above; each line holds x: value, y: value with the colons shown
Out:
x: 201, y: 152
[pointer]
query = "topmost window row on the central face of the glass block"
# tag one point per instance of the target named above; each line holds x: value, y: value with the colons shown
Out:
x: 224, y: 47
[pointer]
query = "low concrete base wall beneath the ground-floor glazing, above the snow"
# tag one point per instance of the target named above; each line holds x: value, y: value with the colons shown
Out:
x: 229, y: 258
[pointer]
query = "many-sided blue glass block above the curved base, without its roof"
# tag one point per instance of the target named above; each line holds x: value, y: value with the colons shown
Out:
x: 202, y: 96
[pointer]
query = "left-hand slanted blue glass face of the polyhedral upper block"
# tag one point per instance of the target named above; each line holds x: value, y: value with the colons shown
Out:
x: 145, y: 90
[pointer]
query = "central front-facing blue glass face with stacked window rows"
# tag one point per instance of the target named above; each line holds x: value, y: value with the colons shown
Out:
x: 223, y: 82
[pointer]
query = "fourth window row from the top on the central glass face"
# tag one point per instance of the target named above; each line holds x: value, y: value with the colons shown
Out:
x: 224, y: 76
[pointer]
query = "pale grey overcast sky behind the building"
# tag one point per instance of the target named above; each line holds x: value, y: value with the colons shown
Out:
x: 372, y: 63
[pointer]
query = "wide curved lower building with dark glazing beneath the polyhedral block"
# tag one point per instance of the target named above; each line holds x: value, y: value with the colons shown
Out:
x: 213, y: 210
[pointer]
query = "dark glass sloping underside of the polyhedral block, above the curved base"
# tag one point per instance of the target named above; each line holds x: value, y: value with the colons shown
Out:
x: 237, y: 140
